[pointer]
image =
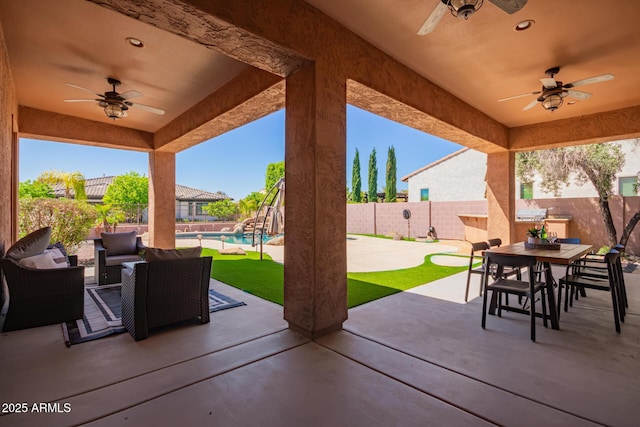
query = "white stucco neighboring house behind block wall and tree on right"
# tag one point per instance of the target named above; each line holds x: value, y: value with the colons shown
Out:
x: 460, y: 176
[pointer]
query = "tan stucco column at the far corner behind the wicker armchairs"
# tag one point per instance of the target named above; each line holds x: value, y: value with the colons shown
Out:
x: 162, y: 200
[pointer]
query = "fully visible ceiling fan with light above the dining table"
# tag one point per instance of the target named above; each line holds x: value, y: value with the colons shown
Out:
x: 553, y: 92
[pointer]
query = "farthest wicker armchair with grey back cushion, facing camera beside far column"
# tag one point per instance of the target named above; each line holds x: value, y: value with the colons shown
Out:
x: 111, y: 251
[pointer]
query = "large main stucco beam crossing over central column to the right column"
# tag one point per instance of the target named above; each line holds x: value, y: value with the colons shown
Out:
x: 229, y: 28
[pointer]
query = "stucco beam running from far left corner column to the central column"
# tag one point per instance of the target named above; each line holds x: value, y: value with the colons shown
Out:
x: 251, y: 95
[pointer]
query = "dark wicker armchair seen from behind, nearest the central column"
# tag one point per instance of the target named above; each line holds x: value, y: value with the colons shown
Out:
x: 160, y: 293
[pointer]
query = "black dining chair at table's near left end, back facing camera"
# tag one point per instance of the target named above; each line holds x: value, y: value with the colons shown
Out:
x: 522, y: 288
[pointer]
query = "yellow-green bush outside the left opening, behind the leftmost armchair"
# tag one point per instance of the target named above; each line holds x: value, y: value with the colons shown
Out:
x: 70, y: 220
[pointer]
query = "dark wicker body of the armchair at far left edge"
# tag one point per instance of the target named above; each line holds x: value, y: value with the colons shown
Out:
x: 40, y: 297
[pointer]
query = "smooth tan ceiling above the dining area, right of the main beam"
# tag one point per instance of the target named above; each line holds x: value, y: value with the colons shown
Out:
x: 484, y: 59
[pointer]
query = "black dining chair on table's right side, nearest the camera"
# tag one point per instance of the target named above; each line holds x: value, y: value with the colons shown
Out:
x: 604, y: 275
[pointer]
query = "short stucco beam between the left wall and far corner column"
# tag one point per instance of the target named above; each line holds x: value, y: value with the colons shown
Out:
x: 39, y: 124
